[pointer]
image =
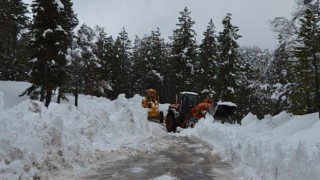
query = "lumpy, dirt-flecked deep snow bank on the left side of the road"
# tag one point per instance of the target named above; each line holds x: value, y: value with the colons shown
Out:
x: 35, y: 140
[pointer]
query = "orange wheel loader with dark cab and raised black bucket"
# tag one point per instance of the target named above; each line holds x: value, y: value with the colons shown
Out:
x: 187, y: 111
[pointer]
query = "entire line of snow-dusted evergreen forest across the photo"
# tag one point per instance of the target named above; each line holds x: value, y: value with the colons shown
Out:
x: 47, y: 52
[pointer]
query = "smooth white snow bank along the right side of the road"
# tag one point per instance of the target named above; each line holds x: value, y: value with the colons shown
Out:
x: 279, y: 147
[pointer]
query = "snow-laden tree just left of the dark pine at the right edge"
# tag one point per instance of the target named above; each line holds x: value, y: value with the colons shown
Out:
x: 279, y: 74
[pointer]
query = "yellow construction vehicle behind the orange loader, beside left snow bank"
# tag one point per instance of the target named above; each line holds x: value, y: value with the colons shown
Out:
x: 151, y: 101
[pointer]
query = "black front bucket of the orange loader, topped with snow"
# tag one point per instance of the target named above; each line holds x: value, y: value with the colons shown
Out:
x: 223, y: 111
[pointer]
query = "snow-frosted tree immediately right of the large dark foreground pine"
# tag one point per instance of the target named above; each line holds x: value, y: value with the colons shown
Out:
x: 88, y: 62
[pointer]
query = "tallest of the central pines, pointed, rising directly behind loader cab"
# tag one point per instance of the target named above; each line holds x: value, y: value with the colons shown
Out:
x: 183, y: 54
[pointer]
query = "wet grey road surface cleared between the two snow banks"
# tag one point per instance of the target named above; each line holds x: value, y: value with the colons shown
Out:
x: 186, y: 159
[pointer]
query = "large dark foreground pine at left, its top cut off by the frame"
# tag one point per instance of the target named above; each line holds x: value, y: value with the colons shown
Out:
x: 52, y: 26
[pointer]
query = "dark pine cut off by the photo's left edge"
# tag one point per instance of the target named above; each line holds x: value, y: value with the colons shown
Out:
x: 13, y: 21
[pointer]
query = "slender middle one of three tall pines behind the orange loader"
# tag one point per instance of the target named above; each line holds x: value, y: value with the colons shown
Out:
x: 207, y: 67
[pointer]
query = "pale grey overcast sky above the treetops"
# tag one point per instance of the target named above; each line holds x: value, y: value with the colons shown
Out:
x: 140, y: 17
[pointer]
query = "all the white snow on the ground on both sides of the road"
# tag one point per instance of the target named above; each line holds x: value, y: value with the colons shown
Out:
x: 43, y: 142
